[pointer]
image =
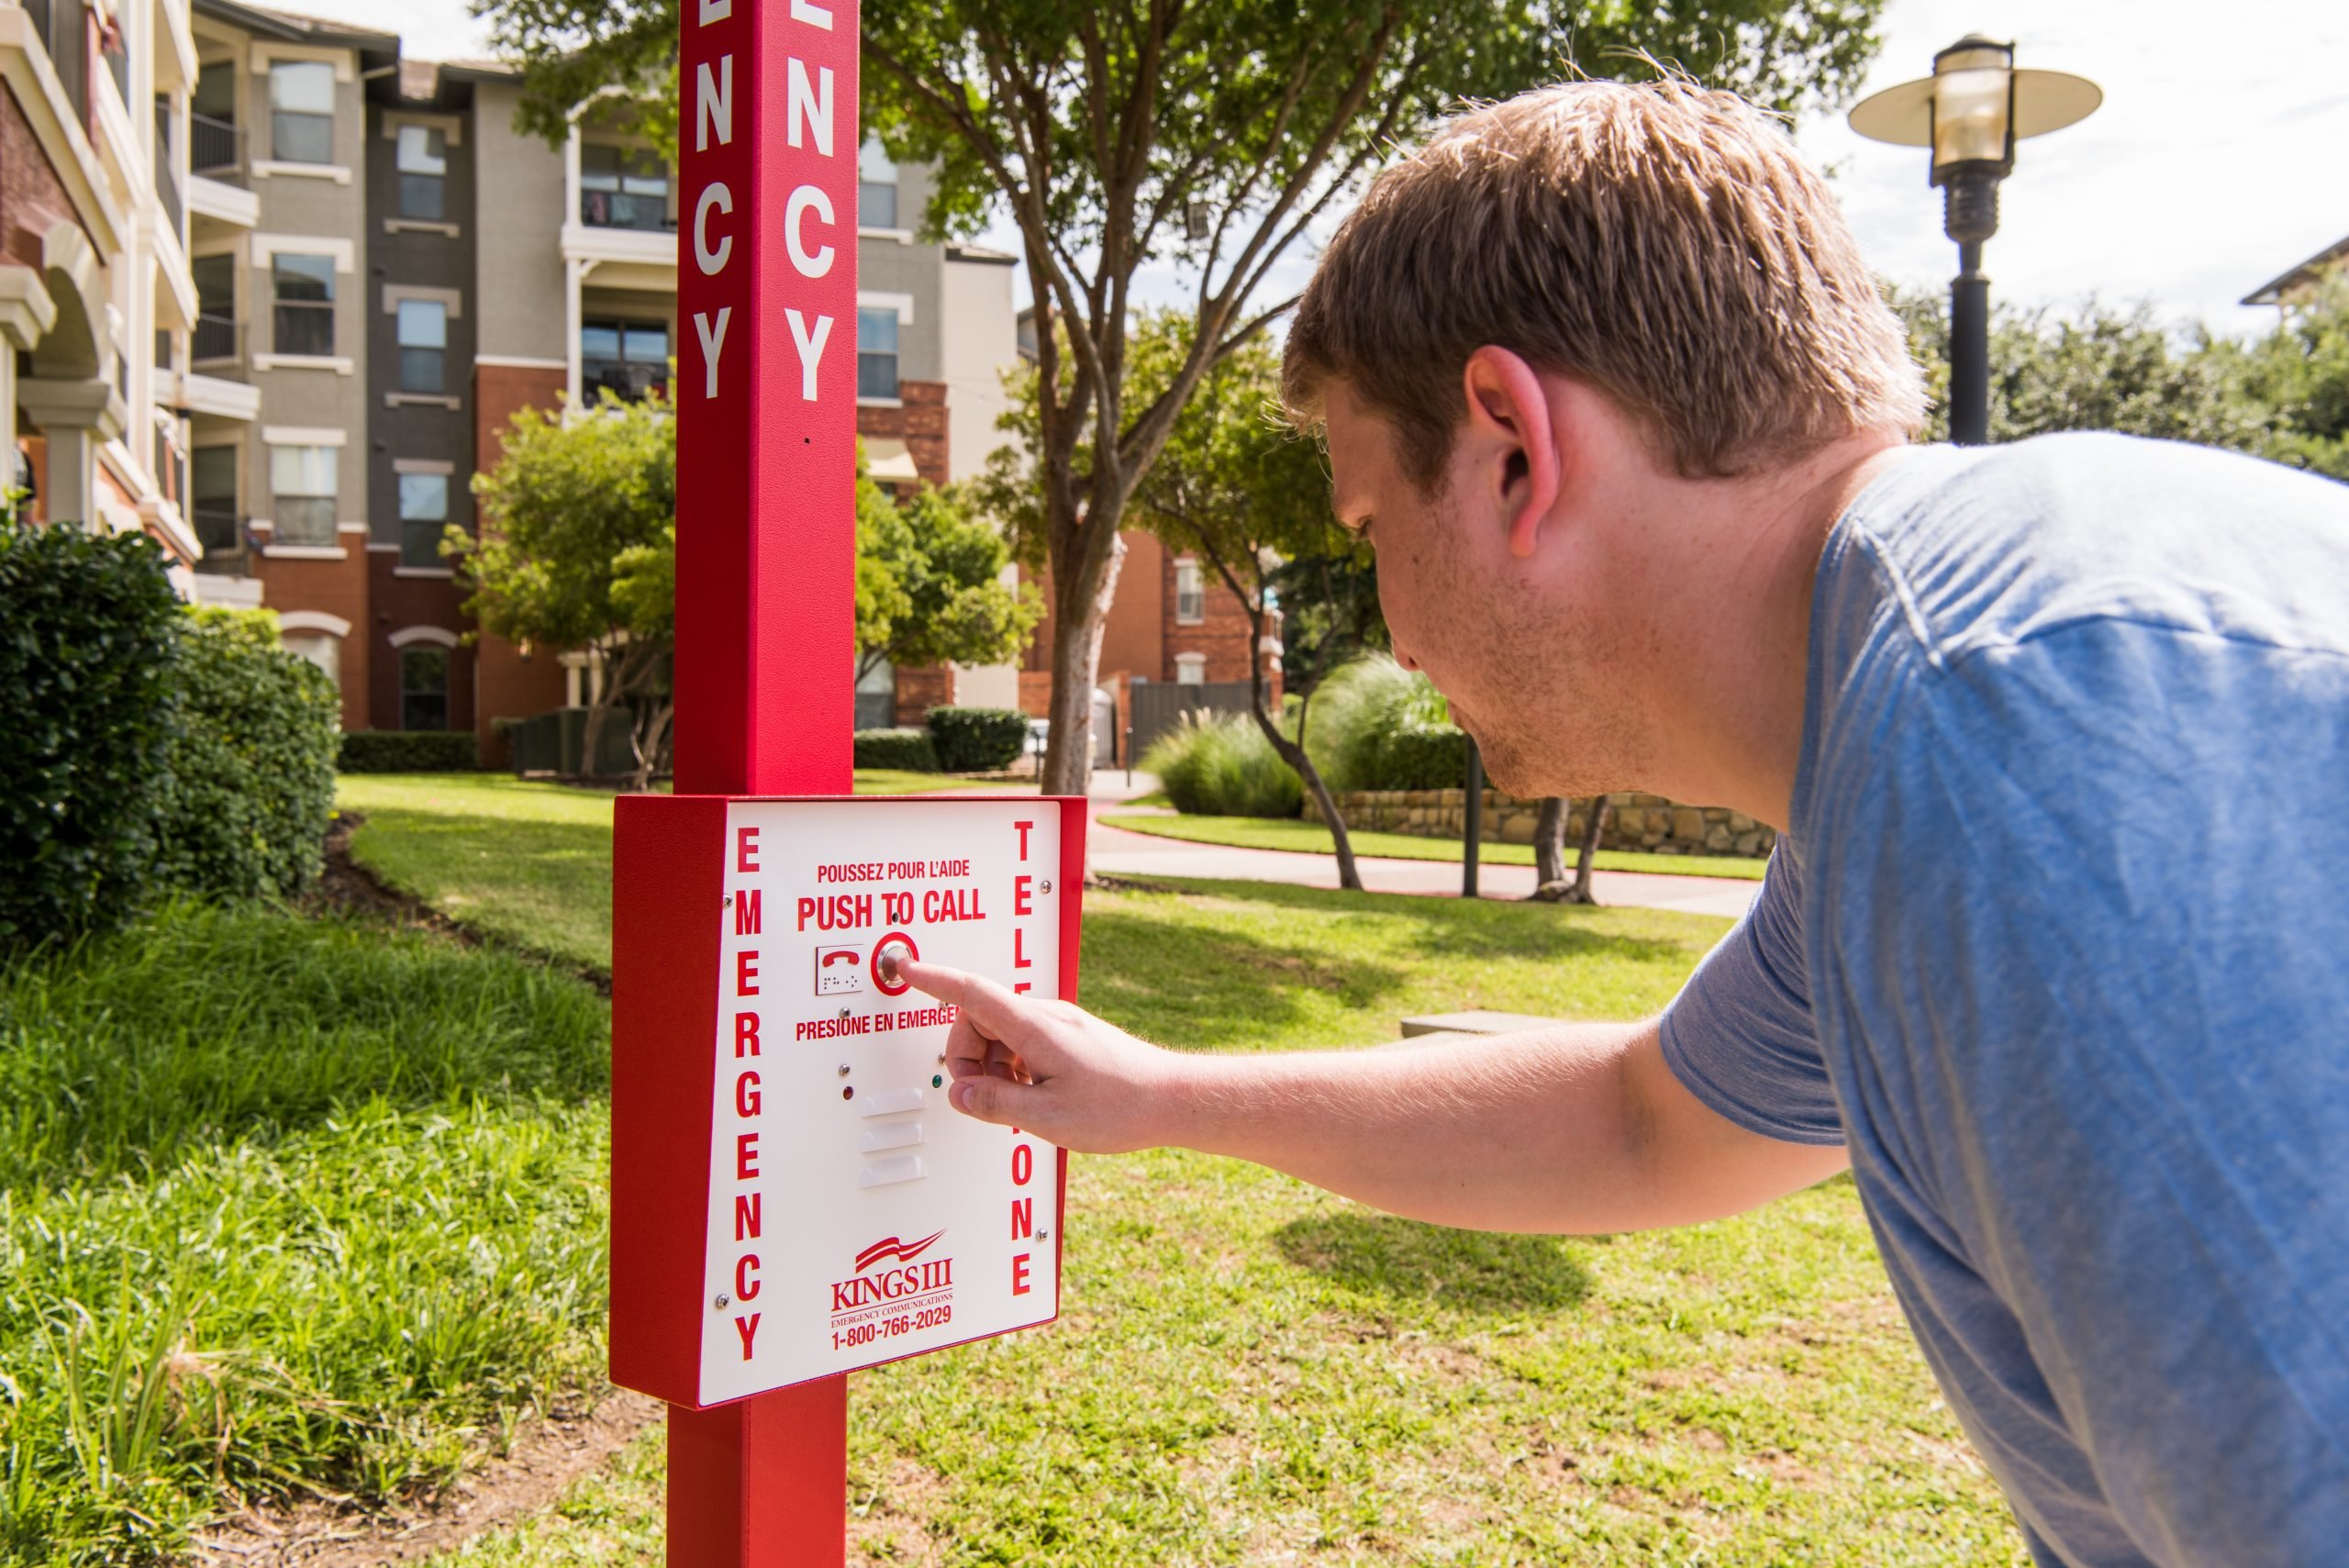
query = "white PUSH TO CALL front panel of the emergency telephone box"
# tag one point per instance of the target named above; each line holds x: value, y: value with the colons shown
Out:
x: 854, y: 1215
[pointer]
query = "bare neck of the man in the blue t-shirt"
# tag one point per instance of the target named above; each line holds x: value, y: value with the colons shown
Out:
x: 1737, y: 630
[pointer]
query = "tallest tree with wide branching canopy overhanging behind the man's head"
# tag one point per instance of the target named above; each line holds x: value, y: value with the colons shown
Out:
x: 1173, y: 133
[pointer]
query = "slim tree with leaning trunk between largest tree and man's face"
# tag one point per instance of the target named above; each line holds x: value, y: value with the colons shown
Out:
x: 1244, y: 494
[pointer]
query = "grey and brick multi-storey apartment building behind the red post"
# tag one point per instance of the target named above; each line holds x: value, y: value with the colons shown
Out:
x: 389, y: 271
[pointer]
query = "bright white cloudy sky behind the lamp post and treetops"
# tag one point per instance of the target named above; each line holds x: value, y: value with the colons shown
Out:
x: 2214, y: 165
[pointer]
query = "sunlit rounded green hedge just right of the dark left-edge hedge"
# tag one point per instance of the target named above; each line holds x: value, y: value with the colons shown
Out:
x: 253, y: 762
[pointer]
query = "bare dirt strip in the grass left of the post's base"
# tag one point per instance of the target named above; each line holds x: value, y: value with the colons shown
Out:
x: 546, y: 1459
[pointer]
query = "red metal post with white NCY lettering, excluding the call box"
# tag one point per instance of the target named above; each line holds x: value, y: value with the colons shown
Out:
x: 765, y: 590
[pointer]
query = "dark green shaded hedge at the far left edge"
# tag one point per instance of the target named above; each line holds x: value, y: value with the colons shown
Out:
x: 86, y: 670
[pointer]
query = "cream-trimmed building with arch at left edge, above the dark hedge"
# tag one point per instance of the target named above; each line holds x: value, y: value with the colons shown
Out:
x: 97, y: 299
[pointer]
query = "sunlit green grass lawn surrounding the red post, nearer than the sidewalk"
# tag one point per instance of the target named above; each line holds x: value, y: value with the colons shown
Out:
x: 297, y: 1205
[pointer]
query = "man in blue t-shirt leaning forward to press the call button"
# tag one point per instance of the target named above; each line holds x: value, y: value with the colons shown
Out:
x: 2054, y: 952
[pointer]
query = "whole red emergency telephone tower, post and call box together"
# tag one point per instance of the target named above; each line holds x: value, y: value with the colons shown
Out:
x: 793, y: 1196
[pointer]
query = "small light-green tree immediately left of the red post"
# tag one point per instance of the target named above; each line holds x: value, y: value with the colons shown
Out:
x: 579, y: 550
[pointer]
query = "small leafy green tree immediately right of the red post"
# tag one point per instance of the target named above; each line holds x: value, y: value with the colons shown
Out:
x: 929, y: 583
